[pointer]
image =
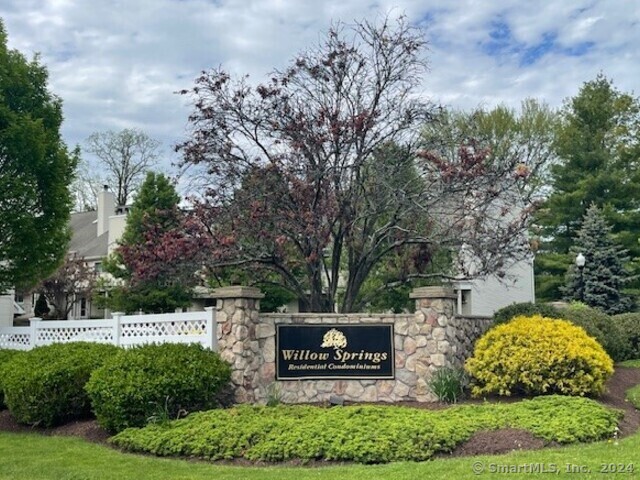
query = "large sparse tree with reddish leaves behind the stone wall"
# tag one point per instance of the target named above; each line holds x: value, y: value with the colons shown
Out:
x: 299, y: 187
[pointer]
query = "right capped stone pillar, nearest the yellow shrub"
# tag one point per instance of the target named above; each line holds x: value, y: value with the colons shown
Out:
x: 435, y: 307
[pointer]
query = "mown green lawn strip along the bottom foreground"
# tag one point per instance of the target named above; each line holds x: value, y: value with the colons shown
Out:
x: 32, y: 457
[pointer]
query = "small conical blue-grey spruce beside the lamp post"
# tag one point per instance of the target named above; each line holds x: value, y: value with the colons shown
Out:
x: 599, y: 283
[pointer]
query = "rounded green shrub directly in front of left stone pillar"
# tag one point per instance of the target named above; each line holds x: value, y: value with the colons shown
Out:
x: 152, y: 382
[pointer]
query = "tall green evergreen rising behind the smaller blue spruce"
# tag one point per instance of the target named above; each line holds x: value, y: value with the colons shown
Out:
x: 598, y: 147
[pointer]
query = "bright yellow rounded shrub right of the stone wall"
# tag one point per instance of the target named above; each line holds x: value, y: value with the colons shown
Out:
x: 538, y: 355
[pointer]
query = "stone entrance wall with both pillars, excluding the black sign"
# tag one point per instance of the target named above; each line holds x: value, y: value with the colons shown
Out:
x: 426, y: 341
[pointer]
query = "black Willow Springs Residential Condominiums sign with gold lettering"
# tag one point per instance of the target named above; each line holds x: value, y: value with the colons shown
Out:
x: 334, y: 351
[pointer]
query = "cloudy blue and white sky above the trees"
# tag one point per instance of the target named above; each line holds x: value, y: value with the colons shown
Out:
x: 118, y: 63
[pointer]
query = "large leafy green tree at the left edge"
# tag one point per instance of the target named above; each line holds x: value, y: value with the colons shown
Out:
x: 36, y: 170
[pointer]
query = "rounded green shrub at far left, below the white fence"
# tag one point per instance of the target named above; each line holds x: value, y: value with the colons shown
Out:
x: 45, y: 386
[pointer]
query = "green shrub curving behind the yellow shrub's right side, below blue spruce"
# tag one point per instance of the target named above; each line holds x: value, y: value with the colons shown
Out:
x: 600, y: 326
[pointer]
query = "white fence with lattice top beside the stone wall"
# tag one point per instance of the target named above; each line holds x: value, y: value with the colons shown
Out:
x: 122, y: 330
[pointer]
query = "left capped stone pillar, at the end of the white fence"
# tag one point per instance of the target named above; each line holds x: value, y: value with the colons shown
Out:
x: 237, y: 314
